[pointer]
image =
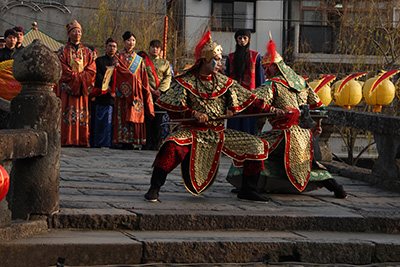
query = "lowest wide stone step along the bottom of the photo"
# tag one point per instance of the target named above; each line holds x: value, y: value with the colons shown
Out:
x: 88, y: 247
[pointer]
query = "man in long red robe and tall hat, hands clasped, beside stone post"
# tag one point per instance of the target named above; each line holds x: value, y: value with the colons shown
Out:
x: 79, y: 72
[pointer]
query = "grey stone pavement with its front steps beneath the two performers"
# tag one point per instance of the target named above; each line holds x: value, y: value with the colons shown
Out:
x: 104, y: 220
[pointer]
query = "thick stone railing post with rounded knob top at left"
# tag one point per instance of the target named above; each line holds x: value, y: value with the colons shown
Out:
x: 35, y: 180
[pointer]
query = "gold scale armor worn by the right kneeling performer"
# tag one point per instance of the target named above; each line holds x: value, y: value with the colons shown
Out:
x: 289, y: 91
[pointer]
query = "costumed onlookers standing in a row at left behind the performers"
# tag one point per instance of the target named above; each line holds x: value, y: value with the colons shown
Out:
x: 107, y: 100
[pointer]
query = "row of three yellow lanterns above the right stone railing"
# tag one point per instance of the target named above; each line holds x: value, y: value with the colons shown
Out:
x: 347, y: 92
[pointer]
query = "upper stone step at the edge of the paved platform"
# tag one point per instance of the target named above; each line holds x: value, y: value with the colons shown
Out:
x: 168, y: 220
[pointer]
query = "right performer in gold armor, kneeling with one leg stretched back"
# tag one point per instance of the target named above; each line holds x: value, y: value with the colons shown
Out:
x: 290, y: 167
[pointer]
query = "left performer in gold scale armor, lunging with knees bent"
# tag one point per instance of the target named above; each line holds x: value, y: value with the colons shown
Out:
x: 205, y: 94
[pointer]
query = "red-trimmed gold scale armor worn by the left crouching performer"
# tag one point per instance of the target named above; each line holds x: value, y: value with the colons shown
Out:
x: 212, y: 96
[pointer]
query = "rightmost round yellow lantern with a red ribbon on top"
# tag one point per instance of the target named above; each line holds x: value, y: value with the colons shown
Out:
x: 379, y: 91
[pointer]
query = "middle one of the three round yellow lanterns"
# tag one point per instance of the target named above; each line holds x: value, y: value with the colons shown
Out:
x: 347, y: 93
